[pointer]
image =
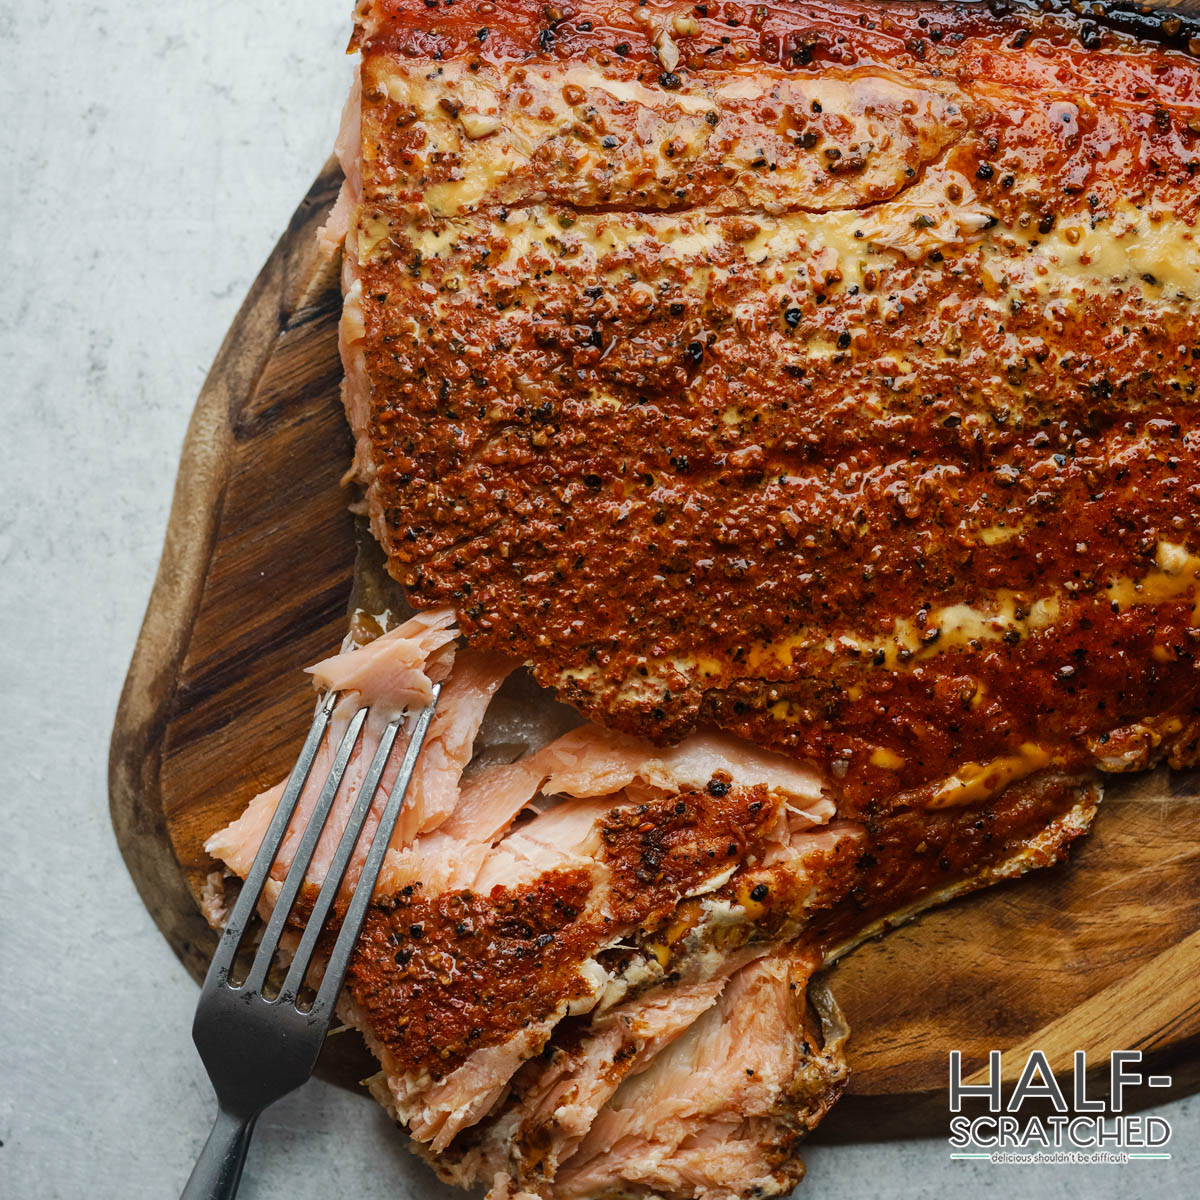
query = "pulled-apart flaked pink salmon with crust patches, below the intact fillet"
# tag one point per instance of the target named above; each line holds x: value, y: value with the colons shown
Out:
x: 560, y: 940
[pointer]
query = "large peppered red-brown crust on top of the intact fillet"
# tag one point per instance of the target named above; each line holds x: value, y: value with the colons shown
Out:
x: 710, y: 428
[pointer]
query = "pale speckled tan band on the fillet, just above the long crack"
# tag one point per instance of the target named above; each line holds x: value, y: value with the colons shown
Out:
x: 734, y: 134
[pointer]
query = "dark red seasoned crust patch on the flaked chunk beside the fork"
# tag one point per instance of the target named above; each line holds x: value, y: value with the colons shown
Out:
x: 440, y: 977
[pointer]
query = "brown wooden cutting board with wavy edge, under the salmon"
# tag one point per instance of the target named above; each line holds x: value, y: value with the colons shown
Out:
x: 254, y: 585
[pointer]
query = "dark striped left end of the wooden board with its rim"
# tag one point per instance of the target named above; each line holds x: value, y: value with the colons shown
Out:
x: 253, y: 584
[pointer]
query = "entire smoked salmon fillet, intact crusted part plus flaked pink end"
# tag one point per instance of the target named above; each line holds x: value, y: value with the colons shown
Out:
x: 807, y: 394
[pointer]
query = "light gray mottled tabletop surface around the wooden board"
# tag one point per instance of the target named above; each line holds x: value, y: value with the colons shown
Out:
x: 152, y: 157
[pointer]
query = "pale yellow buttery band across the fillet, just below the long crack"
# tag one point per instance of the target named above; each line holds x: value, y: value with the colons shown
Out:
x: 1153, y: 255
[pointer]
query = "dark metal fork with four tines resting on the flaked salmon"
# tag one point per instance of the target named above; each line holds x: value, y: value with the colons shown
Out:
x: 256, y: 1051
